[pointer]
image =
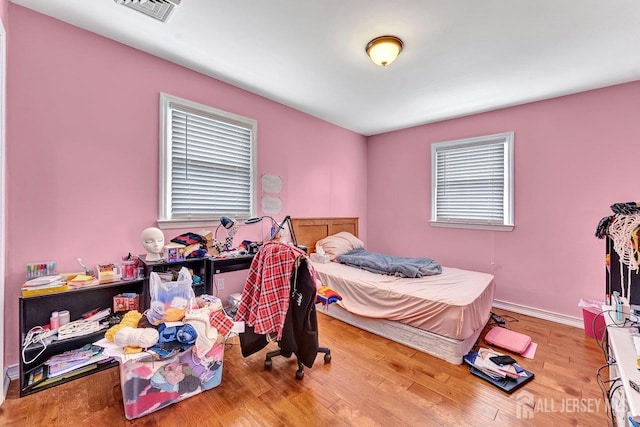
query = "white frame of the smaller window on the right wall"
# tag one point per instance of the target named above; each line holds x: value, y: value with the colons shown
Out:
x: 506, y: 139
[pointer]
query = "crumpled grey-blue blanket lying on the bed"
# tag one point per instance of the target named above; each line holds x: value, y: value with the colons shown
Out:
x: 388, y: 264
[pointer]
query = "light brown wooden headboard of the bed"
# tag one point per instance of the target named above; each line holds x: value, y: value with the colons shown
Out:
x: 309, y: 230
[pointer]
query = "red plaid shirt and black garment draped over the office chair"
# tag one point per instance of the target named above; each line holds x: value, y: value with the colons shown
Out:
x: 278, y: 300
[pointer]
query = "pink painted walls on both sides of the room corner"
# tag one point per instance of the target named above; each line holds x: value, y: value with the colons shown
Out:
x: 82, y: 137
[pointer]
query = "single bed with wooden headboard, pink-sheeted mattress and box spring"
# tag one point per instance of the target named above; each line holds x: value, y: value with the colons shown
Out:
x: 441, y: 315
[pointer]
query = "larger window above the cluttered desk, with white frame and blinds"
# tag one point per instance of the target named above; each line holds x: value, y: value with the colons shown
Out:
x: 207, y: 164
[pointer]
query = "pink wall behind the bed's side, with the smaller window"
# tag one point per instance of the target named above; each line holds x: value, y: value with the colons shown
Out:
x: 574, y: 157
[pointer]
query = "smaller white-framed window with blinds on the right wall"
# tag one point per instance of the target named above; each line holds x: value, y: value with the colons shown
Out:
x: 472, y: 183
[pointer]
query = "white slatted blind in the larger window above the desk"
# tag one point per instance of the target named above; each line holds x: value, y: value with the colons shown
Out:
x: 211, y: 166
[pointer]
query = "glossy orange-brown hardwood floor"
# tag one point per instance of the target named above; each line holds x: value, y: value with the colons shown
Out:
x: 370, y: 381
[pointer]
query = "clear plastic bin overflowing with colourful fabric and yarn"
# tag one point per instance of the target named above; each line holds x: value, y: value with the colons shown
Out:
x: 180, y: 358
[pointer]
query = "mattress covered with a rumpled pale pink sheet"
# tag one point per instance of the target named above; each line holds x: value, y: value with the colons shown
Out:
x: 454, y: 304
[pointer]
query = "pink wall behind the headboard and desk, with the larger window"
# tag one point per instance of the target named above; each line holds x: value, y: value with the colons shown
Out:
x: 83, y: 150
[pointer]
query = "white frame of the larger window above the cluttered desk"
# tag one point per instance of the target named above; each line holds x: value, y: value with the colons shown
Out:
x: 167, y: 103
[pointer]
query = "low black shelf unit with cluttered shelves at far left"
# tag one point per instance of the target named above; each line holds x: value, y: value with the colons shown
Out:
x: 36, y: 310
